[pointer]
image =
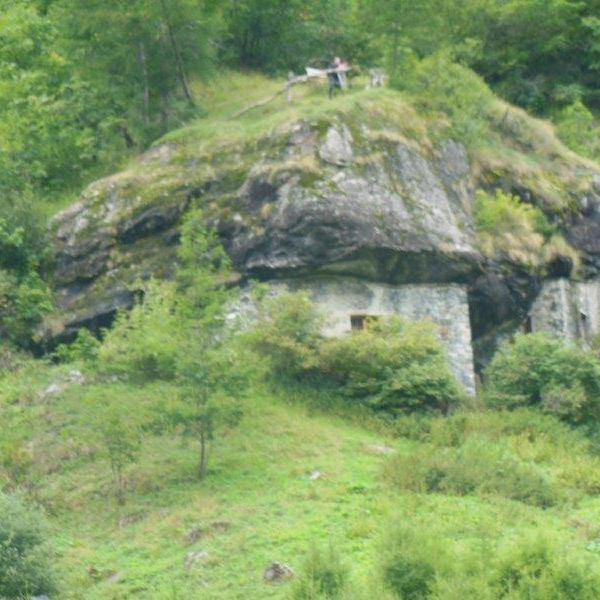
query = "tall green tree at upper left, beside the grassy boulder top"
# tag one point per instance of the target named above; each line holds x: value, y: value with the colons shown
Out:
x: 141, y: 54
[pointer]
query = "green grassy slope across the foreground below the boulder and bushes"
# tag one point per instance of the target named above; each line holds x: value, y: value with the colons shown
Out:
x: 260, y: 504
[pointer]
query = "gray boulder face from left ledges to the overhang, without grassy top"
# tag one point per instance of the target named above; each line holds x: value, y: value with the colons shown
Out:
x: 330, y: 202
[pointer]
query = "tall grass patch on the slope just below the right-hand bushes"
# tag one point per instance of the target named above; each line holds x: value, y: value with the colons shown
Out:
x: 523, y: 455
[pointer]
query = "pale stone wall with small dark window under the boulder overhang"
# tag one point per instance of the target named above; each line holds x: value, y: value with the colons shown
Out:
x: 444, y: 304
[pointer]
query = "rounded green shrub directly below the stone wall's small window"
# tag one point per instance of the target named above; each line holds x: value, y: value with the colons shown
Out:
x: 393, y: 365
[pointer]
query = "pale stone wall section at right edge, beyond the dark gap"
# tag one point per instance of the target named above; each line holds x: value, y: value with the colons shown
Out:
x: 568, y: 309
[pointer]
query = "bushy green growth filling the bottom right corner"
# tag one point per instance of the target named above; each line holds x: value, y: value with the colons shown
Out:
x: 418, y: 562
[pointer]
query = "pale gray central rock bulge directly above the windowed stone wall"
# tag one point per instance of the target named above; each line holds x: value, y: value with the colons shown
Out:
x: 404, y: 218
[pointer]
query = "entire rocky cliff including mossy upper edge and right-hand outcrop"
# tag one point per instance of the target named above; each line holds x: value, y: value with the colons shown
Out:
x: 345, y: 194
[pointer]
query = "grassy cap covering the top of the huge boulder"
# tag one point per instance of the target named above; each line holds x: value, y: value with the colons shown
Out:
x: 502, y: 141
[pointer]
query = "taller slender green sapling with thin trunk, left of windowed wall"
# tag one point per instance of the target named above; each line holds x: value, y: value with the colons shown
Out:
x: 210, y: 368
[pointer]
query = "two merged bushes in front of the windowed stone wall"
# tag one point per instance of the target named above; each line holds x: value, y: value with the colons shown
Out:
x: 393, y: 366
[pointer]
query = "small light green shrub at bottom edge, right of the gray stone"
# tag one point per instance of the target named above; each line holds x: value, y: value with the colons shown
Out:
x: 324, y: 576
